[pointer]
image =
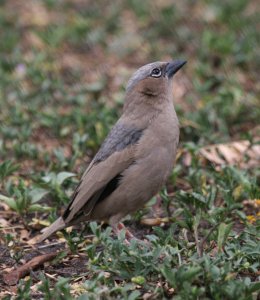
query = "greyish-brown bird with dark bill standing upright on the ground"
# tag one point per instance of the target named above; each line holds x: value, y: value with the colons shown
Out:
x: 136, y: 157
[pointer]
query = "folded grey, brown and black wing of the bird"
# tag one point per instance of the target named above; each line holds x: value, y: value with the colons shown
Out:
x: 103, y: 173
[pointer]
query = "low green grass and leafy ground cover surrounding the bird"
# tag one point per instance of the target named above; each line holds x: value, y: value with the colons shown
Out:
x: 63, y: 71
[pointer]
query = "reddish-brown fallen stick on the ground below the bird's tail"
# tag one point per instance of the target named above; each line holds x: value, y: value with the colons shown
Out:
x: 13, y: 277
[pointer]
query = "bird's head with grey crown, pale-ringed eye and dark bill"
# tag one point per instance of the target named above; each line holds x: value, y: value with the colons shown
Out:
x: 154, y: 79
